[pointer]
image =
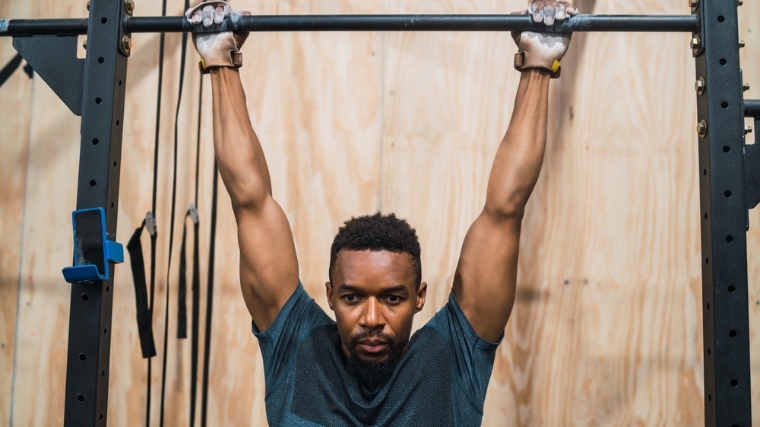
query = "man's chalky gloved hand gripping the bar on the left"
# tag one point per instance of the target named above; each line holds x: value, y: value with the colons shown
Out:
x: 216, y: 49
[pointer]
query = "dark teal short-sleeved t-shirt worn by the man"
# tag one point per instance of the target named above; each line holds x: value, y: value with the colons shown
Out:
x: 441, y: 380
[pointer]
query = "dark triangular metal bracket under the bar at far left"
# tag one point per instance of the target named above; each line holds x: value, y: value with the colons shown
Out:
x: 54, y: 58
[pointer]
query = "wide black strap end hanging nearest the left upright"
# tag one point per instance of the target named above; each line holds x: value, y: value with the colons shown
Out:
x: 144, y: 329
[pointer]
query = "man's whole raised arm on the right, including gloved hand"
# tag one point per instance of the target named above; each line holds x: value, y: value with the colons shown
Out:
x: 486, y: 276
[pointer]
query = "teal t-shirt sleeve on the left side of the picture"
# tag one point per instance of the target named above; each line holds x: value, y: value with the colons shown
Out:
x: 279, y: 344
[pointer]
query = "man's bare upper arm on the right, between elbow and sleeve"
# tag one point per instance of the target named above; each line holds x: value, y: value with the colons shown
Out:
x: 486, y: 276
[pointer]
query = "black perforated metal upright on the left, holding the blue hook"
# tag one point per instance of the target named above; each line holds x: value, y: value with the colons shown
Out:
x: 105, y: 71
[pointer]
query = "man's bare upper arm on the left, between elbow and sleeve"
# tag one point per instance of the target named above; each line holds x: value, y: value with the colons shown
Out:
x: 268, y: 262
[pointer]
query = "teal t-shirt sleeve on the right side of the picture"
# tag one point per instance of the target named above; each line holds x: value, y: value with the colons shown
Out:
x: 472, y: 356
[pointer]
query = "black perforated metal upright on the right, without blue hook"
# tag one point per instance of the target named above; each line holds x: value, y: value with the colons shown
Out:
x: 723, y: 216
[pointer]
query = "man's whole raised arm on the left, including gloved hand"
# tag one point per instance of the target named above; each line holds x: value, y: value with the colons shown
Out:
x: 268, y: 263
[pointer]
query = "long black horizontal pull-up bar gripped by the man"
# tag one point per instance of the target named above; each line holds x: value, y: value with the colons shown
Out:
x: 616, y: 23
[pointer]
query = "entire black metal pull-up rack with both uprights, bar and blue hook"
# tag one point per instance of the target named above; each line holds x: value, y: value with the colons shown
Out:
x: 94, y: 88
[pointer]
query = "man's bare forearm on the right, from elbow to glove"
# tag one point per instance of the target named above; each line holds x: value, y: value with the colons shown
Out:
x: 518, y: 160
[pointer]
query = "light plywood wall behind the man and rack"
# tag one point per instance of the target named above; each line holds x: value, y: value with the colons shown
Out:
x: 607, y: 325
